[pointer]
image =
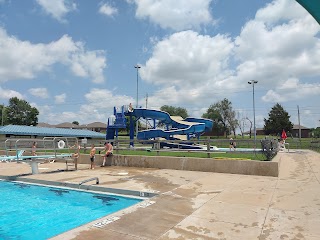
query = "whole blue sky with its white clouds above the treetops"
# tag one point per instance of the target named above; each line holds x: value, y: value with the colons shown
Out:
x: 74, y: 60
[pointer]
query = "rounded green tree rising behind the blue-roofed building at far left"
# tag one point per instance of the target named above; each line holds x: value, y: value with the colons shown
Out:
x: 20, y: 112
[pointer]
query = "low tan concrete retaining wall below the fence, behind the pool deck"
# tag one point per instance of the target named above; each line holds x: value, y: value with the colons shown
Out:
x: 247, y: 167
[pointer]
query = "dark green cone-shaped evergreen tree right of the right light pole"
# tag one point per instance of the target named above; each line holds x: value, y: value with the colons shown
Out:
x: 278, y: 120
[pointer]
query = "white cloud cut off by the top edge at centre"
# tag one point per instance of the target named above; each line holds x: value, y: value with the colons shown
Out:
x: 177, y: 15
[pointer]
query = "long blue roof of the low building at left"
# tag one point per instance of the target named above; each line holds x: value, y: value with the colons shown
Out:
x: 50, y: 132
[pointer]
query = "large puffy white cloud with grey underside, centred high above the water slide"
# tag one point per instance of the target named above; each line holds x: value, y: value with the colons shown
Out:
x: 188, y: 59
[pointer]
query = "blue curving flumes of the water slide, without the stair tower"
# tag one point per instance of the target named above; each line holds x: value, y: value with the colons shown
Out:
x: 179, y: 127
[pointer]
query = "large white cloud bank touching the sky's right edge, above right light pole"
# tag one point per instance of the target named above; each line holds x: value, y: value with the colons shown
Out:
x: 280, y: 43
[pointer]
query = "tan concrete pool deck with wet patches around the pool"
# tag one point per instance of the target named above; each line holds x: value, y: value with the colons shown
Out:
x: 201, y: 205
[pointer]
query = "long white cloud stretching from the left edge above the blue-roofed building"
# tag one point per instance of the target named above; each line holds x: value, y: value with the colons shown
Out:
x: 23, y: 59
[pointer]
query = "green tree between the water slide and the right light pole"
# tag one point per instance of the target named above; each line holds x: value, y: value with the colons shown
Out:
x: 223, y: 115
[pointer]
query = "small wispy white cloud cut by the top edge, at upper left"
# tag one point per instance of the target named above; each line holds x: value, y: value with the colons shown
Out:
x: 57, y: 8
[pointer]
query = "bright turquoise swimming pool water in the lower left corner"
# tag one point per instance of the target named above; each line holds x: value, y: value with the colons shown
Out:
x: 36, y: 212
